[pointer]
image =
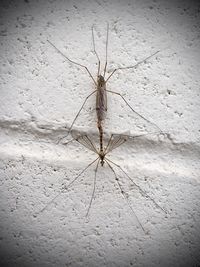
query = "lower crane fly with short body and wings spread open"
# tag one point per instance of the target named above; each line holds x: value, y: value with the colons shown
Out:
x: 114, y: 142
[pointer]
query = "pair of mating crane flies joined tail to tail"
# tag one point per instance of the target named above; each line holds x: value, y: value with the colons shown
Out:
x: 115, y: 140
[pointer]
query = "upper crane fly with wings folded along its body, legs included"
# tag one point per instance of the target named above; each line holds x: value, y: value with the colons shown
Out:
x: 101, y: 87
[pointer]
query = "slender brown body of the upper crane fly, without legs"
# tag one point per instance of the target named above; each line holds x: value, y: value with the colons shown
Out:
x: 101, y: 107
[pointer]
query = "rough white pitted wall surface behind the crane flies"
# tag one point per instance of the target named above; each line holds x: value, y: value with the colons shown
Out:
x: 39, y: 96
